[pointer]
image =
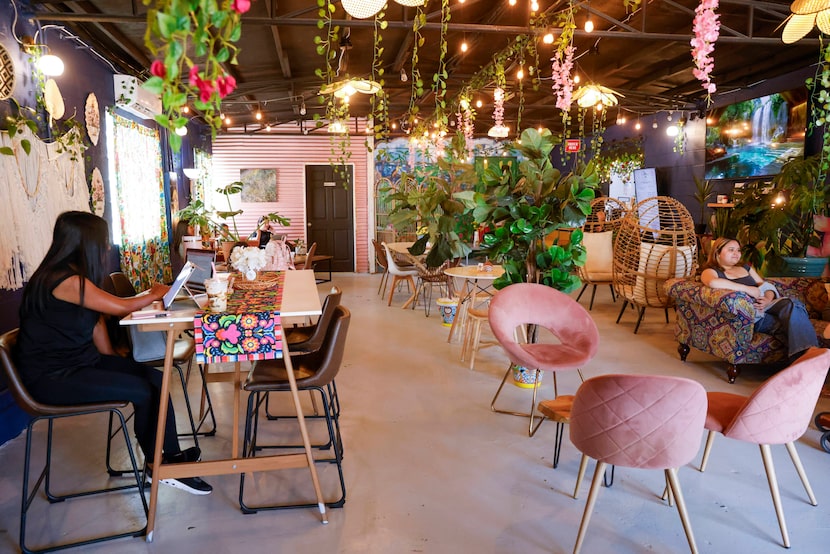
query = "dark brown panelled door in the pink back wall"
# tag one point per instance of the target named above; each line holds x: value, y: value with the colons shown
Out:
x: 329, y: 214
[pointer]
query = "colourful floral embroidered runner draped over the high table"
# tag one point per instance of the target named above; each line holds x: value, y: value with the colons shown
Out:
x: 249, y: 330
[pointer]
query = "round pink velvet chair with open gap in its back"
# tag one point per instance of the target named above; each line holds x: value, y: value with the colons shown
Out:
x: 523, y: 304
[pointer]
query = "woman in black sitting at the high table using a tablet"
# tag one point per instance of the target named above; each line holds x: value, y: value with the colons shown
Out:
x: 64, y: 352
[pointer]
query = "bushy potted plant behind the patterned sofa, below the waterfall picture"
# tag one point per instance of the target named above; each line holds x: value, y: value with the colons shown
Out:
x: 779, y: 222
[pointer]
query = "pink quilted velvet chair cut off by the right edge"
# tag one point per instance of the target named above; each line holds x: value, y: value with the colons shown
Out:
x: 778, y: 412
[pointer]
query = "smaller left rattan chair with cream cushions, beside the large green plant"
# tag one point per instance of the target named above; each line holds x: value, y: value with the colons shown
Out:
x: 600, y: 228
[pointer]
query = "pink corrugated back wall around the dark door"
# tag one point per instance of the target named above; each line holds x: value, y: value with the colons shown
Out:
x: 289, y: 155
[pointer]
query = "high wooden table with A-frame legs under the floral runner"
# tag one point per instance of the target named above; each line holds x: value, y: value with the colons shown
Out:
x: 300, y: 298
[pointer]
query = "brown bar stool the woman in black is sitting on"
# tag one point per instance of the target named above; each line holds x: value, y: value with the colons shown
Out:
x: 50, y: 413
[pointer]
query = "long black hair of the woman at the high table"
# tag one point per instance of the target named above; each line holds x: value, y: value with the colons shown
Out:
x: 79, y: 247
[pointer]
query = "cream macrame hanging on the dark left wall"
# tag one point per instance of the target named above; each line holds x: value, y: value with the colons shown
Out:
x: 35, y: 188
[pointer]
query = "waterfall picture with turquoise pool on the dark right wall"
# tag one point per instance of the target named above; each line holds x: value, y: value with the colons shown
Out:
x: 755, y: 137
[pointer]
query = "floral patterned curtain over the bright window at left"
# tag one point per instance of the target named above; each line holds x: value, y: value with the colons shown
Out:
x: 145, y: 248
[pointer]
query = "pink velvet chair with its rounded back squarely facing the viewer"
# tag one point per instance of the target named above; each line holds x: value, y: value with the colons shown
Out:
x: 641, y: 421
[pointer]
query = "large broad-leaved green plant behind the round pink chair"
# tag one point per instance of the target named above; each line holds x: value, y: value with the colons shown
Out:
x: 522, y: 208
